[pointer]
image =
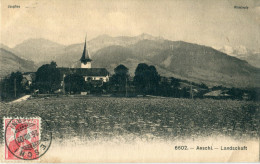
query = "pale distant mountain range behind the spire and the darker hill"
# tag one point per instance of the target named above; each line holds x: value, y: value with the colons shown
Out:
x: 47, y: 50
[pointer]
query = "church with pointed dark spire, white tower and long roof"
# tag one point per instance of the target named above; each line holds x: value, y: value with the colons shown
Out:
x: 89, y: 74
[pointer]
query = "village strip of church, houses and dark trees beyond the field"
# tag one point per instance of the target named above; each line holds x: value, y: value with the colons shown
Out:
x: 51, y: 80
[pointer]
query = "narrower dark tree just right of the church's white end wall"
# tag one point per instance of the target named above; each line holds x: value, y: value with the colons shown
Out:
x: 120, y: 78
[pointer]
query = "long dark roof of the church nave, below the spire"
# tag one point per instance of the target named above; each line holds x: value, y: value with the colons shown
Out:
x: 85, y: 71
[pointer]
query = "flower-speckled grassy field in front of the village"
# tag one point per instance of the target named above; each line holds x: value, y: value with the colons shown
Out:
x: 95, y: 117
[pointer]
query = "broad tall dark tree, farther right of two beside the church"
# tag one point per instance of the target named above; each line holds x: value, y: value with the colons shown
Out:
x: 146, y: 79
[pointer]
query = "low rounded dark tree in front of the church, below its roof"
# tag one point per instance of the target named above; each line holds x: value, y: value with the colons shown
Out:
x: 74, y: 83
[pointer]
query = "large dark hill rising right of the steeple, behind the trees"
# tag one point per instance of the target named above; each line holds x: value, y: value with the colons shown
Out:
x: 183, y: 60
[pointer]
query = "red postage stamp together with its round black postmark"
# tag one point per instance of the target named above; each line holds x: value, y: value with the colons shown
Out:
x: 25, y: 139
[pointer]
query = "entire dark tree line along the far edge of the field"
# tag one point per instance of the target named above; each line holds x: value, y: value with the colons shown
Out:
x: 146, y: 81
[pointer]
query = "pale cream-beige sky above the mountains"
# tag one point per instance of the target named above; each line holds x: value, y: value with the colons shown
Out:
x: 206, y: 22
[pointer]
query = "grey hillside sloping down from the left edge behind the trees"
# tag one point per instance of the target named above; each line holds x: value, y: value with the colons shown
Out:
x: 9, y: 62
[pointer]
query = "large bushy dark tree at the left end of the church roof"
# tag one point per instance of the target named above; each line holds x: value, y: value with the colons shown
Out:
x: 48, y: 78
